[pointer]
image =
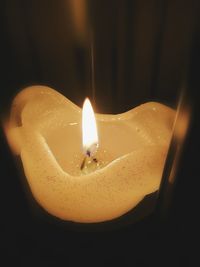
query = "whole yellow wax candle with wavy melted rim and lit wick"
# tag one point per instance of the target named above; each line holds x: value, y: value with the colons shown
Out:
x: 44, y: 128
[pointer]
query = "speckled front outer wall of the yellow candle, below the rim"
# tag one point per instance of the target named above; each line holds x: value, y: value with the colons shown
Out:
x: 103, y: 195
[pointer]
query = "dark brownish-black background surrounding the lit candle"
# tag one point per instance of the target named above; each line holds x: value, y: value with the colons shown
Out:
x: 141, y: 51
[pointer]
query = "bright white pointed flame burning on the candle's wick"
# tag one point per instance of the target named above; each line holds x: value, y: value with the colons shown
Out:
x: 89, y: 129
